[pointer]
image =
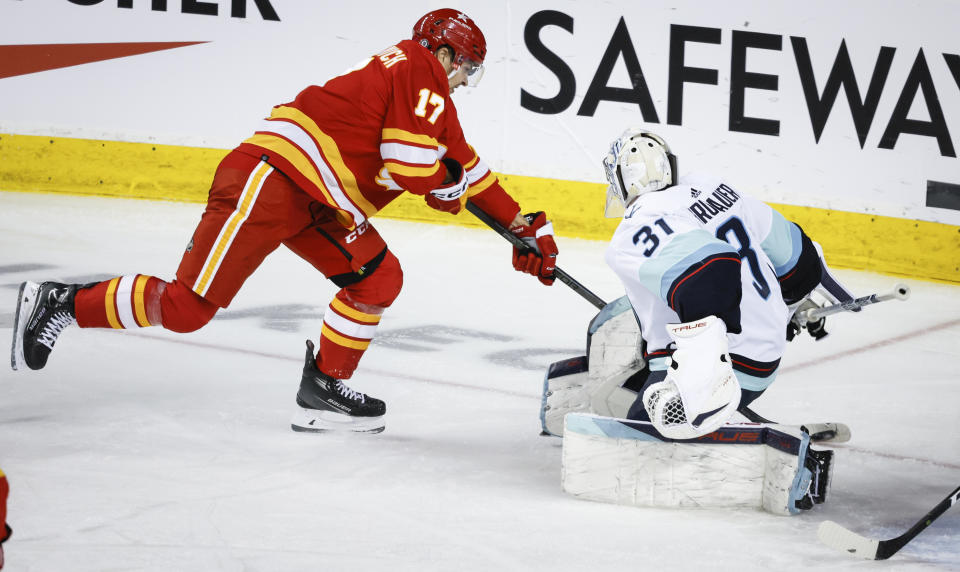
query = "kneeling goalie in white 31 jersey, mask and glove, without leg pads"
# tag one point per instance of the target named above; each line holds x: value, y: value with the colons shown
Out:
x: 714, y: 277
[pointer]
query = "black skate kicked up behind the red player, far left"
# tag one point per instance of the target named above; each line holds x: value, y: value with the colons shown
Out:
x: 43, y: 311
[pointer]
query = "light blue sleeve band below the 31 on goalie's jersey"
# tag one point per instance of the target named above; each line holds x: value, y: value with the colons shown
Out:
x: 690, y: 248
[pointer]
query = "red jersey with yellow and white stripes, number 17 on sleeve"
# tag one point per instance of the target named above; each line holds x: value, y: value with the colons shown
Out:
x: 363, y: 138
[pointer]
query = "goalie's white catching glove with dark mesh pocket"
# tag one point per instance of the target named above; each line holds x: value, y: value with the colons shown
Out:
x: 700, y: 391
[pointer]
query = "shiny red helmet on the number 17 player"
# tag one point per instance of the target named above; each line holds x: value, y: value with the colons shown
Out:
x: 447, y: 26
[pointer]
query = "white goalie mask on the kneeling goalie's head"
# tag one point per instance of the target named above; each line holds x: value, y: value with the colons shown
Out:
x: 638, y: 162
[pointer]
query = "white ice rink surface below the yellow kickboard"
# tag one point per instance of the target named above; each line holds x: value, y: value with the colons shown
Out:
x: 150, y: 450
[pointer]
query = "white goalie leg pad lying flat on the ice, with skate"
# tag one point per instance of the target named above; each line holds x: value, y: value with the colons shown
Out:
x: 746, y: 465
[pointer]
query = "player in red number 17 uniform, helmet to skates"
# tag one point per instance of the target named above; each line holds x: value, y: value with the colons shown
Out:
x: 310, y: 178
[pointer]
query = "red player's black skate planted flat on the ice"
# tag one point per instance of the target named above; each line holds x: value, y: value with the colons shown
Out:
x: 327, y: 404
